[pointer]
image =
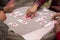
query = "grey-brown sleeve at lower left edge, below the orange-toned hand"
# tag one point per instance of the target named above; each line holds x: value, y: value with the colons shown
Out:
x: 3, y: 31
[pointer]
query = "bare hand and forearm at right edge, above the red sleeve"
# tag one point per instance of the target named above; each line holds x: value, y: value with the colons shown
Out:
x: 57, y: 24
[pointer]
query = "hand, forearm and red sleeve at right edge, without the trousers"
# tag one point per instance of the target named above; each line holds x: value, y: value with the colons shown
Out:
x: 57, y: 25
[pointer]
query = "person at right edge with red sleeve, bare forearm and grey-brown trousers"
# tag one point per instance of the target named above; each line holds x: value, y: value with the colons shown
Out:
x: 56, y: 34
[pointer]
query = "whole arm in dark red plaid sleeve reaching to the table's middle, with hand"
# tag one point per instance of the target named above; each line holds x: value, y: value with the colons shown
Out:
x: 32, y: 11
